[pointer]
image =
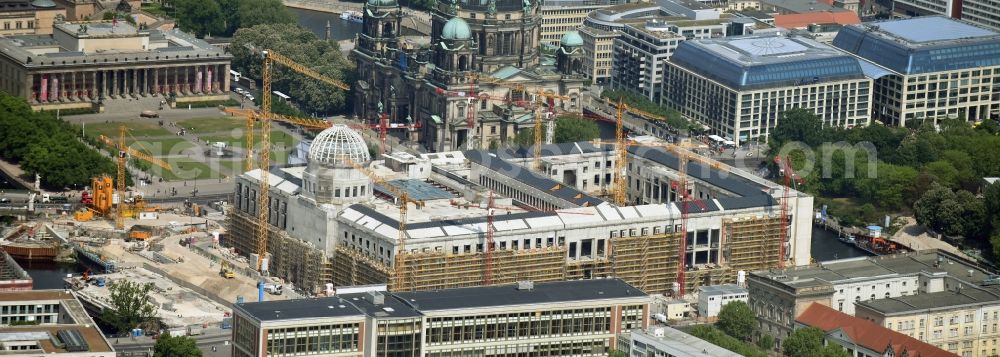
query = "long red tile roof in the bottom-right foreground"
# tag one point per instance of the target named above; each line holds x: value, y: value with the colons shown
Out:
x: 866, y: 333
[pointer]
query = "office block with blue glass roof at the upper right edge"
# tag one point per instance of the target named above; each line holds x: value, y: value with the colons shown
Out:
x: 930, y: 68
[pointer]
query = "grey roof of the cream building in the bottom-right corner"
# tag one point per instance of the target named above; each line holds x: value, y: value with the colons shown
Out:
x: 931, y: 301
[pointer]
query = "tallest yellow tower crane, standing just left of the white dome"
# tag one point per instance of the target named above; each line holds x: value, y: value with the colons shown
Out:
x: 269, y: 58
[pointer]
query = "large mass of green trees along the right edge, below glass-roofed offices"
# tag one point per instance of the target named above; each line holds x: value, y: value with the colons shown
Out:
x: 933, y: 170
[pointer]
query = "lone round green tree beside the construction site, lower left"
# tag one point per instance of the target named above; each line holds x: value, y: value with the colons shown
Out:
x: 131, y: 306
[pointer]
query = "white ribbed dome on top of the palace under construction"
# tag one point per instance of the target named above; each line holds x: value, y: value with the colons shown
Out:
x: 336, y: 142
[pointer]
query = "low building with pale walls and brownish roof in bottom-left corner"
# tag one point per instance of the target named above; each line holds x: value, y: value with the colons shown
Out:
x: 48, y: 323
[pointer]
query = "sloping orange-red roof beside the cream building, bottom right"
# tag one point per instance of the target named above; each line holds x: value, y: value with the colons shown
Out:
x: 863, y: 338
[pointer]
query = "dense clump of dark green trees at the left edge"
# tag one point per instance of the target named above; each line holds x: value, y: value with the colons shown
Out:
x: 47, y: 146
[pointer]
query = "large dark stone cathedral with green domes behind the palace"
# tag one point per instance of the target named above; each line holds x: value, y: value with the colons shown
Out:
x: 473, y: 85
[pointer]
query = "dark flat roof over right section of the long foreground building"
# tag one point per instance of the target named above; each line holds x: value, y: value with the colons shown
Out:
x: 507, y: 295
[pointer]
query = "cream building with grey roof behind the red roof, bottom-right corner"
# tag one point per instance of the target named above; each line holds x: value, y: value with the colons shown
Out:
x: 961, y: 321
